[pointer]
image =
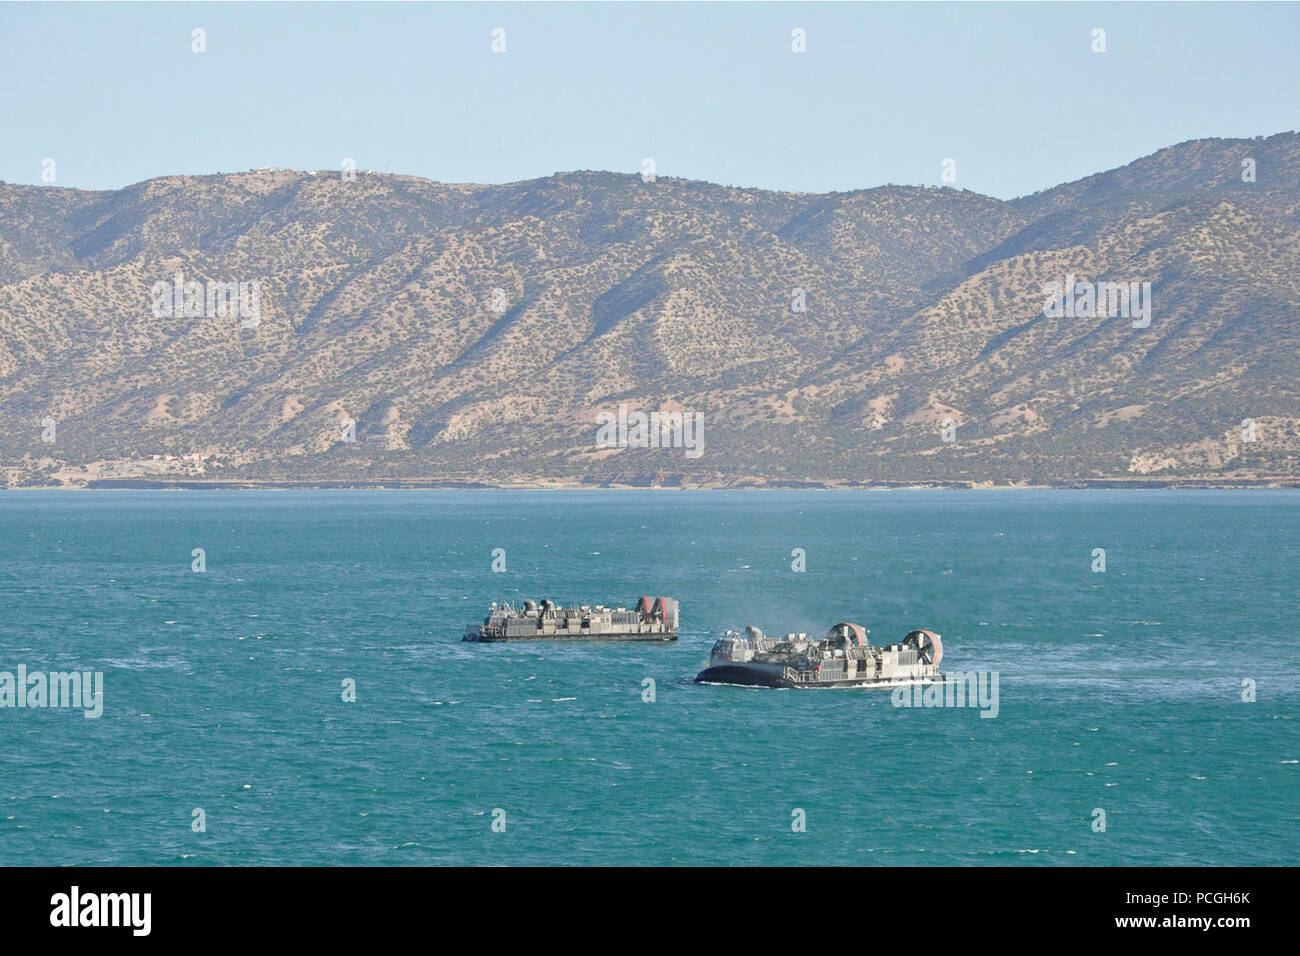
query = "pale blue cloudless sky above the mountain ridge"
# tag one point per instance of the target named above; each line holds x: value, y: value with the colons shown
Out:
x: 712, y: 92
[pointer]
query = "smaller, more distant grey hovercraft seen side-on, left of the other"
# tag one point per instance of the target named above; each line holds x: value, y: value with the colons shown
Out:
x: 653, y: 620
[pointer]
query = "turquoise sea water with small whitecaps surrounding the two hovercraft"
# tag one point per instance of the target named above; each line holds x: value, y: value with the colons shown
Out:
x: 1119, y: 691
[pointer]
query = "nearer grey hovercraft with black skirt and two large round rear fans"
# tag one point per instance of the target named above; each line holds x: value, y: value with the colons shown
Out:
x: 844, y: 659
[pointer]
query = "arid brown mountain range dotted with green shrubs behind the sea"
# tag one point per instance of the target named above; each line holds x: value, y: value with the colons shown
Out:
x: 415, y: 331
